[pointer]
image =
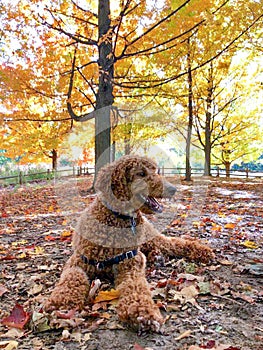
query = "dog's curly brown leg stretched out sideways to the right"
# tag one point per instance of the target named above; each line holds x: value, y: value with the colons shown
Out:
x: 176, y: 246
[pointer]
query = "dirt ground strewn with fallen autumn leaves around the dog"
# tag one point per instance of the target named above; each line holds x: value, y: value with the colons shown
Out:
x: 216, y: 306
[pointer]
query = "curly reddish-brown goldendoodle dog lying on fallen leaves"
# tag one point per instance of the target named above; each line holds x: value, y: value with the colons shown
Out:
x: 112, y: 237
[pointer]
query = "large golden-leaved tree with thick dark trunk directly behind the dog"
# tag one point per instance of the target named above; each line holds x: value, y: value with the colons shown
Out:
x: 86, y: 56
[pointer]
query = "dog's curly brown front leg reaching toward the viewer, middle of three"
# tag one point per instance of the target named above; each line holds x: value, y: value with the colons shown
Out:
x: 135, y: 303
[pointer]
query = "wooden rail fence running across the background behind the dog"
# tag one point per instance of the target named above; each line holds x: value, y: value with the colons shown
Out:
x: 24, y: 177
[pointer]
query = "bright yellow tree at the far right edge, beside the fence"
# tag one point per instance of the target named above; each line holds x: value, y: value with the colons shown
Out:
x: 240, y: 135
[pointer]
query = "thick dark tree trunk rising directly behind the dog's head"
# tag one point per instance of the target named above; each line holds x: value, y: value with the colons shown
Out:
x: 104, y: 98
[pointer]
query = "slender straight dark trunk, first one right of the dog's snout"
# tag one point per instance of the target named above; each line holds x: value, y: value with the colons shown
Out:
x: 190, y: 117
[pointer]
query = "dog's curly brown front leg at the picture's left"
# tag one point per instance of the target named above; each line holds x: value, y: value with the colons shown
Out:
x: 72, y: 289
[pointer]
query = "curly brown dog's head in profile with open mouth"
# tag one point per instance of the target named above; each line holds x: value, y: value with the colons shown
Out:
x: 131, y: 183
